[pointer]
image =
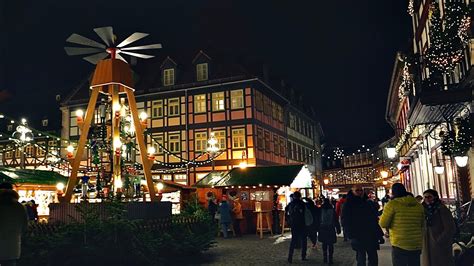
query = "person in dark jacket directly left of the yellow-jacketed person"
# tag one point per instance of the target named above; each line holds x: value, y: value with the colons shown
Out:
x: 362, y: 228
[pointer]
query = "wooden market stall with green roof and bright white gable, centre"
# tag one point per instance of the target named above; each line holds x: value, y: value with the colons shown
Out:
x: 260, y: 189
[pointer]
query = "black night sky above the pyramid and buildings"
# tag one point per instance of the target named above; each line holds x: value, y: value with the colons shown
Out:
x: 339, y: 54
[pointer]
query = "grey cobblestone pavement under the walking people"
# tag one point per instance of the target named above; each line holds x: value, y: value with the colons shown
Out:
x: 273, y: 250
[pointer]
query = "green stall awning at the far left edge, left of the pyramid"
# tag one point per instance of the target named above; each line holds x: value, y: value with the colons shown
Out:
x: 31, y: 176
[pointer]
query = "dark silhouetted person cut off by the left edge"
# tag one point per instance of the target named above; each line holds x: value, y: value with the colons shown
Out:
x: 13, y: 223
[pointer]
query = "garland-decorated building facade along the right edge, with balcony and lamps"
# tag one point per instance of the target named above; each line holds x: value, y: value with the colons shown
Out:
x: 427, y: 100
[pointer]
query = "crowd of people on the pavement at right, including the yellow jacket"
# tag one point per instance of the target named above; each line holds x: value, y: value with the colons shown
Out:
x: 421, y: 229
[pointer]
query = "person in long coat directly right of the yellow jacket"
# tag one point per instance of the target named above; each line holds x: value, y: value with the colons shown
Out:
x: 439, y: 232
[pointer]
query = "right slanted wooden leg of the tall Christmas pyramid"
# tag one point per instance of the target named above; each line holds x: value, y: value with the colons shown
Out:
x: 141, y: 144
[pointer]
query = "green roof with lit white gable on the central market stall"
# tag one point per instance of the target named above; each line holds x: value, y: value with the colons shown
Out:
x: 297, y: 176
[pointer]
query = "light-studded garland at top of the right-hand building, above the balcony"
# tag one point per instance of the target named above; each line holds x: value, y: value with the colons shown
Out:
x: 447, y: 36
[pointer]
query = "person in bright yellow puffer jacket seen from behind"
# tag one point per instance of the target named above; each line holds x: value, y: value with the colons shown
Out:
x: 404, y: 217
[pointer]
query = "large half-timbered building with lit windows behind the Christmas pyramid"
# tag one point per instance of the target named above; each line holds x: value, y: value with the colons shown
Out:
x: 186, y: 104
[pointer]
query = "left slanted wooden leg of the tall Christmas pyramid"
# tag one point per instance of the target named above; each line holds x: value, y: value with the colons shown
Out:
x: 72, y: 181
